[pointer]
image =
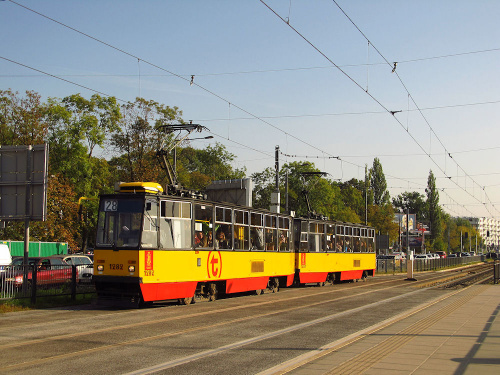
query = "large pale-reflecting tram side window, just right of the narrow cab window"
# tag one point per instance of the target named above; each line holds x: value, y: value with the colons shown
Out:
x: 175, y: 225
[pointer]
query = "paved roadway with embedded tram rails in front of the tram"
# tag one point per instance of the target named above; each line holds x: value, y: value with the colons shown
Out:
x: 242, y: 335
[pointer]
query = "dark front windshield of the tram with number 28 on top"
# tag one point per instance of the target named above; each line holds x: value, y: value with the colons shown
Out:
x: 119, y: 222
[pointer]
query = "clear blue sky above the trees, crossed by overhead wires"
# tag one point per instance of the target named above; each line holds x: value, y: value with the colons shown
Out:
x: 314, y: 77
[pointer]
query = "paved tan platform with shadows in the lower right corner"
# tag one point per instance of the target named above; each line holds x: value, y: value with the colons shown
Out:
x: 457, y: 335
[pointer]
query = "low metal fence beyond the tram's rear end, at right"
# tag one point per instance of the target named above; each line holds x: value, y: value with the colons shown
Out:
x: 399, y: 265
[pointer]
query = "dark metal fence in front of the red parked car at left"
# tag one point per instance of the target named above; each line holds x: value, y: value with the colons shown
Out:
x: 34, y: 282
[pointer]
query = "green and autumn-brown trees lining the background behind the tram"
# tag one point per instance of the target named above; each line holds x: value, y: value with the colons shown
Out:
x: 75, y: 127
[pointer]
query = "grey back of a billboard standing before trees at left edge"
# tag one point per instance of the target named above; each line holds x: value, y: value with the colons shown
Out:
x: 23, y: 182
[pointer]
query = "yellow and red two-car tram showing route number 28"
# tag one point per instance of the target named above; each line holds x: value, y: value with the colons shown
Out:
x: 151, y: 246
